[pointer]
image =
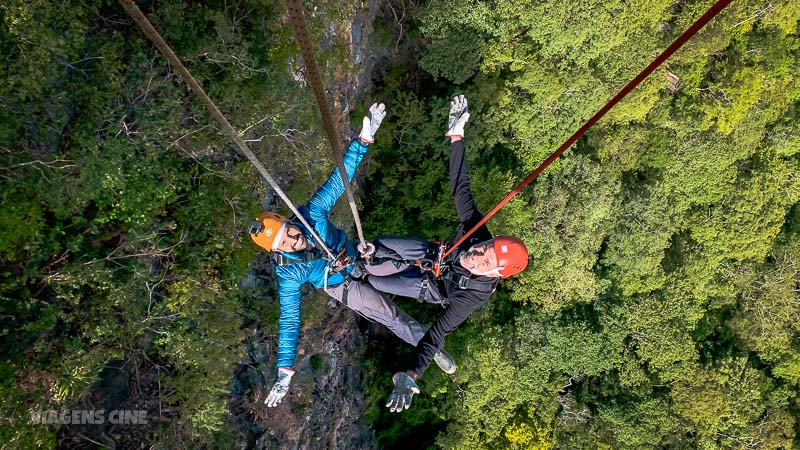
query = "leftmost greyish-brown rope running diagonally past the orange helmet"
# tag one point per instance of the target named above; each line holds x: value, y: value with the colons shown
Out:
x: 165, y: 50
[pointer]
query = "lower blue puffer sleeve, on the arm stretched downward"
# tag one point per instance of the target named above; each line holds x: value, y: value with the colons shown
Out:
x: 289, y: 294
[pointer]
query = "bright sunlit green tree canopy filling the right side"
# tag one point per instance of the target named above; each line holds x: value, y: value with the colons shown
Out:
x: 662, y: 244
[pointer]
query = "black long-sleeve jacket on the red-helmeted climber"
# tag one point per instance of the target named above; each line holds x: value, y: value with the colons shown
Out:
x: 461, y: 302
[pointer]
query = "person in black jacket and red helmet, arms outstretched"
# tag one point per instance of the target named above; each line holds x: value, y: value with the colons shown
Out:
x: 462, y: 282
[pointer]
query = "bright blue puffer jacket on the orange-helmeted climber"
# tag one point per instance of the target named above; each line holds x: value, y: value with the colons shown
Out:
x: 292, y: 276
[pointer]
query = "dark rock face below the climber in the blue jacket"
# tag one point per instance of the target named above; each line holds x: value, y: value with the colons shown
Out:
x: 325, y: 400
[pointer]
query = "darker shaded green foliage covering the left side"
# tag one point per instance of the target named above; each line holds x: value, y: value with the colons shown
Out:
x: 122, y: 209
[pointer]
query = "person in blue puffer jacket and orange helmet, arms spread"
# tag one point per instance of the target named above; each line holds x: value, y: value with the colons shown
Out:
x: 299, y: 260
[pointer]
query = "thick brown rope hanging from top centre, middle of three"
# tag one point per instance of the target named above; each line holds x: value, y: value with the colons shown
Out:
x: 301, y: 36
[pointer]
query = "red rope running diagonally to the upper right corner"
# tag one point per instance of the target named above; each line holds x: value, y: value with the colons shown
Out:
x: 700, y: 23
